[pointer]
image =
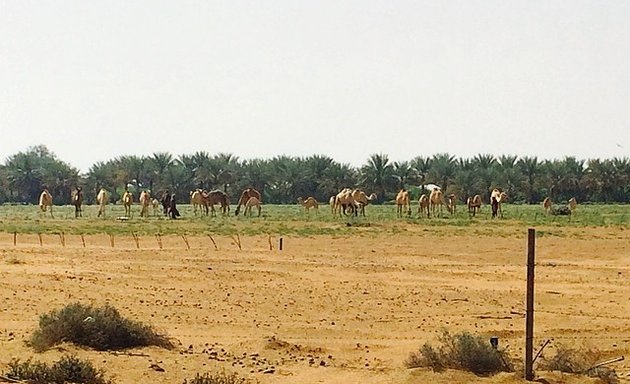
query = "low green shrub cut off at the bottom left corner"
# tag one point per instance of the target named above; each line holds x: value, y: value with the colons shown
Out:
x: 69, y: 369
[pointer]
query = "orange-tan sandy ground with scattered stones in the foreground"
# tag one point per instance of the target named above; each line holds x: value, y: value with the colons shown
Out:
x: 324, y: 309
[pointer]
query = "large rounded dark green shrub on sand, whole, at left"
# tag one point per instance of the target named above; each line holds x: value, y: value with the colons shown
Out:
x: 99, y: 328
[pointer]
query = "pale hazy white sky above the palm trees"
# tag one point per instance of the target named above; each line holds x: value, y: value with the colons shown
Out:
x: 93, y: 80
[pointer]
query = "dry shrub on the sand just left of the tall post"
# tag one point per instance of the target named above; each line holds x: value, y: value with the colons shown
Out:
x: 461, y: 351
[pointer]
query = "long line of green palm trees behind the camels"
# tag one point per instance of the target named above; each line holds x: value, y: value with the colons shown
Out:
x: 283, y: 178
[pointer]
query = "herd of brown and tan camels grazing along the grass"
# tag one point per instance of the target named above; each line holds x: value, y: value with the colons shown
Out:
x: 347, y: 202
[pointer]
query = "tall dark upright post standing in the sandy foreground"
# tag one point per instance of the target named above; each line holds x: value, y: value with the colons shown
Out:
x: 529, y: 318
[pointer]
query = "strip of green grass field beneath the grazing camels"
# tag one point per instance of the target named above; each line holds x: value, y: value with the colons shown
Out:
x: 292, y: 219
